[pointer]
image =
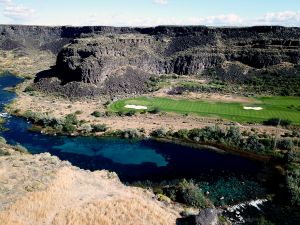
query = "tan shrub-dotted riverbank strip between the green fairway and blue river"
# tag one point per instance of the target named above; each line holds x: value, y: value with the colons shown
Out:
x: 84, y: 123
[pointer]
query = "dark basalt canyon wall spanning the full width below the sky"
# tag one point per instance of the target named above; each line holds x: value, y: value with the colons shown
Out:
x: 116, y: 60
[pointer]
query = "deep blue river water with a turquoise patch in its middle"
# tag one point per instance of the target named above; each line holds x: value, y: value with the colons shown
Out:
x: 132, y: 160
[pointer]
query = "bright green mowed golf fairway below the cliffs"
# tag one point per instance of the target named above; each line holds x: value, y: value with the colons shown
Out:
x: 273, y: 107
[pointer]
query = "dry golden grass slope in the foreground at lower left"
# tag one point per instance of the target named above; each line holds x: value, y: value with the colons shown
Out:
x: 67, y: 195
